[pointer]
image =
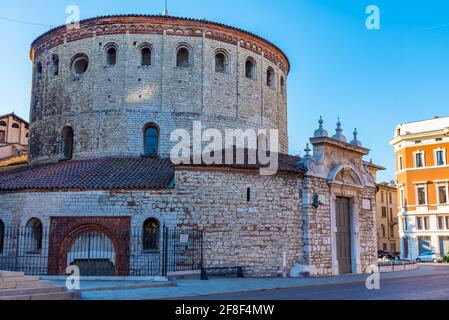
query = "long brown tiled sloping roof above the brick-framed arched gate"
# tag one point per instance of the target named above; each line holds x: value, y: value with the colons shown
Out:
x: 96, y: 174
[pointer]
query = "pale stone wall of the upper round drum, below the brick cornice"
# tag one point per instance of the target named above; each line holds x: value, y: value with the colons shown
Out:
x: 108, y: 106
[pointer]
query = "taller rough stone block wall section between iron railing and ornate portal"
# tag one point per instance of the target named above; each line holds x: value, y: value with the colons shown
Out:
x: 253, y: 234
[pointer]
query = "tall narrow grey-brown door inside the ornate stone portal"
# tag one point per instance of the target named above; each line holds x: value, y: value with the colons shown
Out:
x: 343, y: 223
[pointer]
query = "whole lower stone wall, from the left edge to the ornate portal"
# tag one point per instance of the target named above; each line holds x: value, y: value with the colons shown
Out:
x: 252, y: 234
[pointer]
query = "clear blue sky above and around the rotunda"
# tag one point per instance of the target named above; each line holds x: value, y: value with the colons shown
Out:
x: 373, y: 80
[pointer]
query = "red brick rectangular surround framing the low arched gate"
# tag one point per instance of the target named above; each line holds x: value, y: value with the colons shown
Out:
x: 65, y: 230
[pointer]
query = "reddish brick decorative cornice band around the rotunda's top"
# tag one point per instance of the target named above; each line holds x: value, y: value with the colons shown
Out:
x: 147, y: 24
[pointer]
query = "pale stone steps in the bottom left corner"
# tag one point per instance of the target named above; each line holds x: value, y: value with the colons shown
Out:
x: 17, y: 286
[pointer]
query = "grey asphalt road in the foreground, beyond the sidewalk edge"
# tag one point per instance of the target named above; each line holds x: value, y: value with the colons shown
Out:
x: 418, y: 288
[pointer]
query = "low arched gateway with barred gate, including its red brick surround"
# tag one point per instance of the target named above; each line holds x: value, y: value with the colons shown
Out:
x: 98, y: 245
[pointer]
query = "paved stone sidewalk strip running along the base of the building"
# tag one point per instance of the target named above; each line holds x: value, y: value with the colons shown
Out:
x: 192, y: 288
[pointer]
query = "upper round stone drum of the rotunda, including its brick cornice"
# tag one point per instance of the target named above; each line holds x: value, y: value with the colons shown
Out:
x: 106, y: 82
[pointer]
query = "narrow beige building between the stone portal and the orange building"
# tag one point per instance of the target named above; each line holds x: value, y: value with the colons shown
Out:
x: 386, y: 213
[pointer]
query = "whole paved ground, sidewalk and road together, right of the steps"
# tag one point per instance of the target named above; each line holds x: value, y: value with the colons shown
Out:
x: 427, y: 282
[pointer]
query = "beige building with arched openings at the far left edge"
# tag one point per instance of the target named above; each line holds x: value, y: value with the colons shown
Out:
x: 14, y: 133
